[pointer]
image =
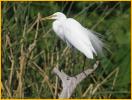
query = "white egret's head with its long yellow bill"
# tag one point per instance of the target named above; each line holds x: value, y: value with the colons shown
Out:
x: 56, y: 16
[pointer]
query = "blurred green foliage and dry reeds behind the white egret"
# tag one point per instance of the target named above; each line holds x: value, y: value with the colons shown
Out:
x: 27, y: 61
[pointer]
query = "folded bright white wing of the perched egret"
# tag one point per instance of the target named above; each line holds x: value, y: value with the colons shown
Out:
x: 76, y: 35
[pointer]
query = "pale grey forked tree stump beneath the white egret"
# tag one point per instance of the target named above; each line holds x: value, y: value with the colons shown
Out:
x: 70, y: 83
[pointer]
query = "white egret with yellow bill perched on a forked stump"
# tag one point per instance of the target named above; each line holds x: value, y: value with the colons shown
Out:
x: 74, y: 34
